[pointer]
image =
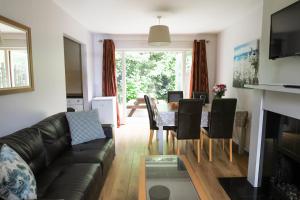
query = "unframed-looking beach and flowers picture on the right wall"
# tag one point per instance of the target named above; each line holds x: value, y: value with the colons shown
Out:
x: 246, y: 64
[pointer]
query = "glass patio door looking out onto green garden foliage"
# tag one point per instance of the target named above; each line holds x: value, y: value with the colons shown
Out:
x: 150, y: 72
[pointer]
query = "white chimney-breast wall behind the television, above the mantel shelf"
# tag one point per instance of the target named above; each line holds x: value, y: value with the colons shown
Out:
x: 283, y: 70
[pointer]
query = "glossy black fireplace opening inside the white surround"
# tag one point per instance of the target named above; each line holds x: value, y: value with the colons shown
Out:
x: 281, y: 156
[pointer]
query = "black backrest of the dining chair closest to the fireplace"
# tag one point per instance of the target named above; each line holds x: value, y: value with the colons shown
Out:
x: 222, y: 118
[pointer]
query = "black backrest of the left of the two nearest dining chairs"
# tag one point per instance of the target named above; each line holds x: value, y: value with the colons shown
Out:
x: 189, y: 119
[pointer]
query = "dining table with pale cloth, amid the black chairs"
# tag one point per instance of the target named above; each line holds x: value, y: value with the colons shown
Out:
x: 165, y: 117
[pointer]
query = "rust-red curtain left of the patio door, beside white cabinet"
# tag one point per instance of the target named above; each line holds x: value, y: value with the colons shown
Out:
x: 109, y: 81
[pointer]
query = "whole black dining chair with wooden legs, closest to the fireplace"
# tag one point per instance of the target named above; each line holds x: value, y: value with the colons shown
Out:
x: 220, y: 124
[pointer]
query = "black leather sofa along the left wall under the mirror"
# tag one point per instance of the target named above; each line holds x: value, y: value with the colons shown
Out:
x: 63, y: 171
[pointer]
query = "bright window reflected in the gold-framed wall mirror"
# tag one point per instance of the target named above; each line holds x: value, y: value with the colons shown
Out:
x: 13, y: 68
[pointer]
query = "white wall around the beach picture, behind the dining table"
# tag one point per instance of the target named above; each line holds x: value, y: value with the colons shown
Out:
x: 245, y: 30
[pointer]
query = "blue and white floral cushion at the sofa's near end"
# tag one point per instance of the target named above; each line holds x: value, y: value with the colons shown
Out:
x: 16, y: 178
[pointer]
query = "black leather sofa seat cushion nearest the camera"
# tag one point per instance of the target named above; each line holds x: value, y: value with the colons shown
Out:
x: 73, y: 181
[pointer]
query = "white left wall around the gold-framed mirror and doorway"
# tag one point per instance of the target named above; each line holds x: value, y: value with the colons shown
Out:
x: 48, y: 25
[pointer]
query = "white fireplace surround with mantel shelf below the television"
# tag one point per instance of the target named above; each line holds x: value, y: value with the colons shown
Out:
x: 274, y: 99
